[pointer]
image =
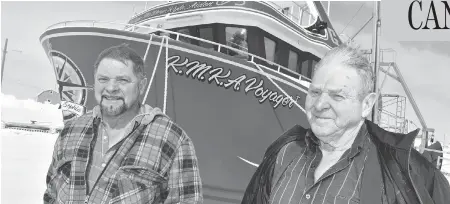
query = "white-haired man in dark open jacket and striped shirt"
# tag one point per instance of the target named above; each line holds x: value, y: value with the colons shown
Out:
x: 344, y: 158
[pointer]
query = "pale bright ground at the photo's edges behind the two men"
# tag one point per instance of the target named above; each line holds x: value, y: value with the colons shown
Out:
x: 25, y: 158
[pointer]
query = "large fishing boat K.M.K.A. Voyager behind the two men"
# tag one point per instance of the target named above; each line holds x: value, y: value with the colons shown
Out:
x: 234, y: 75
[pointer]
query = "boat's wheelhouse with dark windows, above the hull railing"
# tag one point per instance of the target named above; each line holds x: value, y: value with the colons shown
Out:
x: 290, y: 34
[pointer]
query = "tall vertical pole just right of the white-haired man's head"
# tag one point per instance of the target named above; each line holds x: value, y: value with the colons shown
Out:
x: 376, y: 57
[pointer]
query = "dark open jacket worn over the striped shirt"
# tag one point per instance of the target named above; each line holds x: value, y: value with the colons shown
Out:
x: 406, y: 174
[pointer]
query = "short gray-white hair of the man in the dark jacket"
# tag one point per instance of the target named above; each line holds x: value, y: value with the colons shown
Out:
x: 351, y: 56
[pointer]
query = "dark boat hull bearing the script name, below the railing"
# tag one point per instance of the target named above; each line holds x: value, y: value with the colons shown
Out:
x: 226, y: 105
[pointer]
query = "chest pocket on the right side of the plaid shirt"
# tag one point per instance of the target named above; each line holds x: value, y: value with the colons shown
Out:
x: 136, y: 184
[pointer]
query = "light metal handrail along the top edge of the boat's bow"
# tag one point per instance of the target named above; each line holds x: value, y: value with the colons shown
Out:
x: 132, y: 28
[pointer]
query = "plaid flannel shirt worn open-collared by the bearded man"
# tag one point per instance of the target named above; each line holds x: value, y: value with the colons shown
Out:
x: 155, y: 163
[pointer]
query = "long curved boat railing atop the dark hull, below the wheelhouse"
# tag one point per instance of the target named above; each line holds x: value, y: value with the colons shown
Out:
x: 217, y: 46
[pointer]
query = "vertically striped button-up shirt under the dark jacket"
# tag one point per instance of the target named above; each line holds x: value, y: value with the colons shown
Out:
x: 293, y: 180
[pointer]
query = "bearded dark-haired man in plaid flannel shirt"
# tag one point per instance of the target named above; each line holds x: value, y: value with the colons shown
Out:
x: 122, y: 151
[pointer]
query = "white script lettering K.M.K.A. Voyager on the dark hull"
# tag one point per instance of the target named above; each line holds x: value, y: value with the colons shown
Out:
x: 197, y: 70
